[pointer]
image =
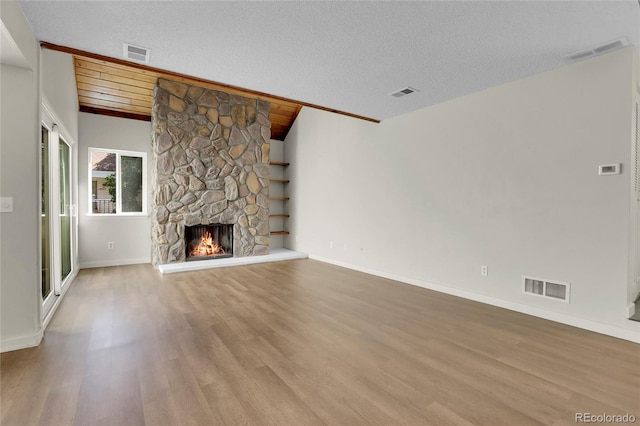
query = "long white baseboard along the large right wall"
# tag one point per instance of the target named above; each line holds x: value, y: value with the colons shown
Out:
x: 632, y: 335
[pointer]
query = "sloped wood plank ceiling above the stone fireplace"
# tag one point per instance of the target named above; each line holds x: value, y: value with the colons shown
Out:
x: 110, y: 88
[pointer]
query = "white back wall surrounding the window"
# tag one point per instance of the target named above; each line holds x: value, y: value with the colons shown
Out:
x: 131, y: 235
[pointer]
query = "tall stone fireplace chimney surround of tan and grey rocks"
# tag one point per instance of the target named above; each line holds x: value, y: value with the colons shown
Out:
x: 210, y: 166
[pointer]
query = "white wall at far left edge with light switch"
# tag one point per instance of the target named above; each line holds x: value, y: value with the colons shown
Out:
x: 19, y: 152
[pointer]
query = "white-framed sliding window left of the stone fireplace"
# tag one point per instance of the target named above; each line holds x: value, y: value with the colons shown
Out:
x: 117, y: 182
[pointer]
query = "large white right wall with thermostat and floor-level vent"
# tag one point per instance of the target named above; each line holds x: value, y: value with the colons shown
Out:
x: 507, y: 178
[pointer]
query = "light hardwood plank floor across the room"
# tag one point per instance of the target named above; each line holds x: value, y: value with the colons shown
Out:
x: 303, y: 342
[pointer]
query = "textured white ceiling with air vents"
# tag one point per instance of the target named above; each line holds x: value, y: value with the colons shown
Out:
x: 343, y: 55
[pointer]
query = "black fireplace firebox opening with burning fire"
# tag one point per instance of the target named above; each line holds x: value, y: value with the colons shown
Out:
x: 208, y: 241
